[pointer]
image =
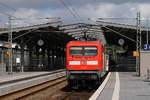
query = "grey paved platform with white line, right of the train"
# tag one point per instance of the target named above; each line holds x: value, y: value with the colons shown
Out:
x: 124, y: 86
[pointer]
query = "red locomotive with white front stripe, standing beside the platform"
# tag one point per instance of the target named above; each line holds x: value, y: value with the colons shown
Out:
x: 86, y: 62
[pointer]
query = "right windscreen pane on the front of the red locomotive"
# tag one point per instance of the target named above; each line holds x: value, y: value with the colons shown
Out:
x: 90, y: 51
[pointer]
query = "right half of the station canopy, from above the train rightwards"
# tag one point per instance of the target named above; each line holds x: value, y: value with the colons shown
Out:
x: 113, y: 32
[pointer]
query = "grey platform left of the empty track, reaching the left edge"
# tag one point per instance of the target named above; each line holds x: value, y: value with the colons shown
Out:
x: 13, y: 82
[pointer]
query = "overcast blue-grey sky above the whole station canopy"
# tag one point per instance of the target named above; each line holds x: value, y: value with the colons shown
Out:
x: 86, y: 9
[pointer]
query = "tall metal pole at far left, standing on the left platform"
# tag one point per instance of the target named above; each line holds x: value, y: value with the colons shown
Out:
x: 10, y: 42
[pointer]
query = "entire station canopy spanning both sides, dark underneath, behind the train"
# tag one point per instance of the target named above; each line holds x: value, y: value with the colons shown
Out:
x: 111, y: 33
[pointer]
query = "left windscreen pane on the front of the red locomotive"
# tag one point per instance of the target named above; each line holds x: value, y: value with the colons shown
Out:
x: 76, y: 51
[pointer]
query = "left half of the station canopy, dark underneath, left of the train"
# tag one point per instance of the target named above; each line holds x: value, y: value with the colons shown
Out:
x: 48, y: 32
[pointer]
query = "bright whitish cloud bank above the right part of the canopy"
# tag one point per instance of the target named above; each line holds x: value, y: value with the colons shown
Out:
x: 111, y: 10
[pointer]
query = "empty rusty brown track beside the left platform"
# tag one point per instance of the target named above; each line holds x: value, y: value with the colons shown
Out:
x: 30, y: 93
